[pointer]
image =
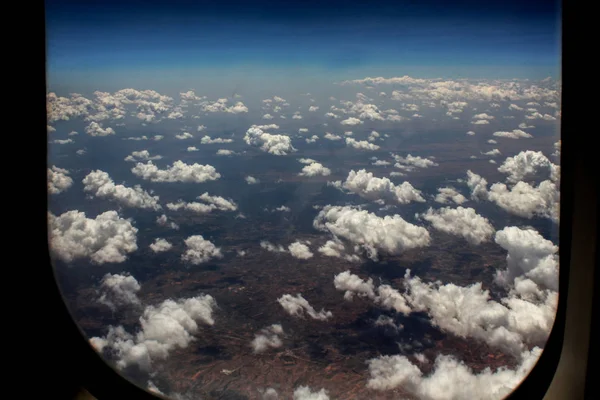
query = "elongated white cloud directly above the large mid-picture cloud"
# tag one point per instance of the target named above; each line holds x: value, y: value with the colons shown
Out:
x: 372, y: 188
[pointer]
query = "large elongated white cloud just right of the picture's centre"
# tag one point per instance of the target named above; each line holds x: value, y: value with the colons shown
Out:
x: 389, y: 234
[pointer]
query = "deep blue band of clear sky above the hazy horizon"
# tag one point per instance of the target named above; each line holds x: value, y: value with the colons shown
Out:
x: 129, y: 43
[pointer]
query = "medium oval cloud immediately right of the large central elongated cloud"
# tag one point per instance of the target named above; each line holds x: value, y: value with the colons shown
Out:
x: 461, y: 221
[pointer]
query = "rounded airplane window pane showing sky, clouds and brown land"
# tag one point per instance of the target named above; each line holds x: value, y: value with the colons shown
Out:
x: 308, y: 201
